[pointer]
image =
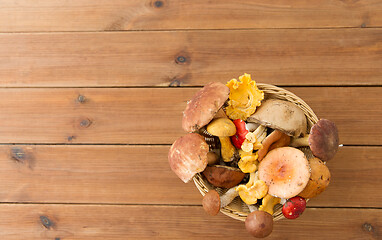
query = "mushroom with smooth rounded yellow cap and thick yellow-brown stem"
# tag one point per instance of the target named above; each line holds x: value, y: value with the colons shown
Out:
x: 224, y: 128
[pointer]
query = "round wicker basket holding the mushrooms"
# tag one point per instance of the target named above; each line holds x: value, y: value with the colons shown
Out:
x: 237, y: 209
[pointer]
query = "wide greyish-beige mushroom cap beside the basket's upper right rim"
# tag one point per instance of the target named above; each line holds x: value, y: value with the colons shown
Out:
x: 282, y: 115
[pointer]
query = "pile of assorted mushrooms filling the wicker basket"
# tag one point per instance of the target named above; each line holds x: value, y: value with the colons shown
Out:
x: 250, y: 147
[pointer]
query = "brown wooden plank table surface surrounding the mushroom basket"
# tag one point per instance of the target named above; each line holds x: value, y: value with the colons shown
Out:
x: 92, y: 94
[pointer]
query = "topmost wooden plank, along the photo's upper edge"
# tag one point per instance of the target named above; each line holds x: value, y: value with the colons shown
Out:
x: 99, y: 15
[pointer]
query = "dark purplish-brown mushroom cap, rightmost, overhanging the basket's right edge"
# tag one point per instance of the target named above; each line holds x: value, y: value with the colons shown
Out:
x: 323, y: 139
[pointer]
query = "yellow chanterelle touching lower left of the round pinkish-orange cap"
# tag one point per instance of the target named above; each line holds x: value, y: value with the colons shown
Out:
x: 253, y: 190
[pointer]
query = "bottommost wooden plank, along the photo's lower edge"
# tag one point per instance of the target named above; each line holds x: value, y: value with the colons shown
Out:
x: 174, y: 222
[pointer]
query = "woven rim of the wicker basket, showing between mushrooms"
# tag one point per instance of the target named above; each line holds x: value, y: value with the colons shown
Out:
x: 270, y: 91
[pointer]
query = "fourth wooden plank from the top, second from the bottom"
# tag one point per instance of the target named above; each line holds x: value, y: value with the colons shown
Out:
x: 141, y: 175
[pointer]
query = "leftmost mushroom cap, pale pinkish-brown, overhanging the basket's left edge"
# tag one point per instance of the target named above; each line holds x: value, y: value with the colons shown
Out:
x: 188, y: 156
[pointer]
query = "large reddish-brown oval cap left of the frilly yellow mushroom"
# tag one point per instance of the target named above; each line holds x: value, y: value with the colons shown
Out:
x: 204, y: 105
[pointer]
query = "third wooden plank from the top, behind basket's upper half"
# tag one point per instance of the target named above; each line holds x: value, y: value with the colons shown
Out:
x: 153, y: 115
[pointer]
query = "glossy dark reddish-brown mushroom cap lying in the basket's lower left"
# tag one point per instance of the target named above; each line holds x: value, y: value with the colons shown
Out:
x: 223, y: 176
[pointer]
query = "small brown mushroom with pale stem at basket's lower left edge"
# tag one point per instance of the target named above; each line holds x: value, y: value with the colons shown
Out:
x: 212, y: 202
